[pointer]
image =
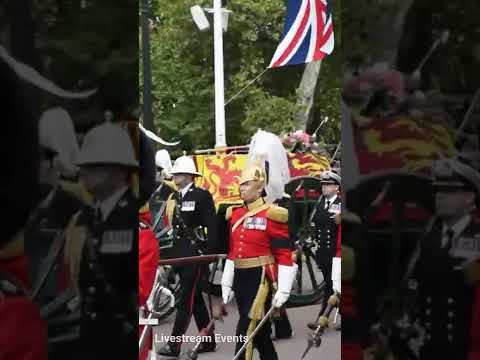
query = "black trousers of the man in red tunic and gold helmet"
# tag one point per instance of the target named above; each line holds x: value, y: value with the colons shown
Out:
x: 245, y: 285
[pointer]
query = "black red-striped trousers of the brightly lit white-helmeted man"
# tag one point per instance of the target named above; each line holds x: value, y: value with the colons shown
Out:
x: 191, y: 301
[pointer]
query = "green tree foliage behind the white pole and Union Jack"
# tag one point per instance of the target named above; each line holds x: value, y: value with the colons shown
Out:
x: 183, y: 77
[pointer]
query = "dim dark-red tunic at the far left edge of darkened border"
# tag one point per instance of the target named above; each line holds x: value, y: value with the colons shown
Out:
x: 23, y: 333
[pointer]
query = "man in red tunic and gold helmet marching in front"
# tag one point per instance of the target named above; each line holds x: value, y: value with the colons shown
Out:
x: 259, y: 261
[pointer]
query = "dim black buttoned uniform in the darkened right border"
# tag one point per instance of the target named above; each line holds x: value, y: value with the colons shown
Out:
x: 445, y: 300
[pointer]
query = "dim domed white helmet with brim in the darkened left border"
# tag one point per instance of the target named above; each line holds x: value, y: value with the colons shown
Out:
x: 107, y: 144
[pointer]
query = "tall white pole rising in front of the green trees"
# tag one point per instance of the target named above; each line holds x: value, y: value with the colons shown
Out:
x: 220, y: 140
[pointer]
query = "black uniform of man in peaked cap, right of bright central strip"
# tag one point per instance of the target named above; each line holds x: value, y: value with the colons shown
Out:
x: 325, y: 236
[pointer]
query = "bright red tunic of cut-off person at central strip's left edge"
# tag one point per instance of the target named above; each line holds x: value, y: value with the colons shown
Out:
x: 148, y: 257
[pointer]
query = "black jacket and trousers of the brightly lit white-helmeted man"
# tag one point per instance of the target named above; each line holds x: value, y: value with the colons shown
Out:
x: 195, y: 209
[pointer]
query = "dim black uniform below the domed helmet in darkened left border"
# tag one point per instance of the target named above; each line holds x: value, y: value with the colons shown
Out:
x: 108, y: 282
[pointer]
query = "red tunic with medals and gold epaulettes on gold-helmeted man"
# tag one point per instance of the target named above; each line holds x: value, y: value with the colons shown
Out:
x: 261, y: 232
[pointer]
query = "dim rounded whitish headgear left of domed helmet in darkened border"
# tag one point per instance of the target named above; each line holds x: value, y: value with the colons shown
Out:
x: 57, y: 133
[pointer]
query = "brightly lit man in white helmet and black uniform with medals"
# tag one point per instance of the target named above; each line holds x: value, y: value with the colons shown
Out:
x: 188, y: 209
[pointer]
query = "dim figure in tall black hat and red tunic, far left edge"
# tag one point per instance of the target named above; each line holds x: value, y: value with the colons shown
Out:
x: 22, y: 331
